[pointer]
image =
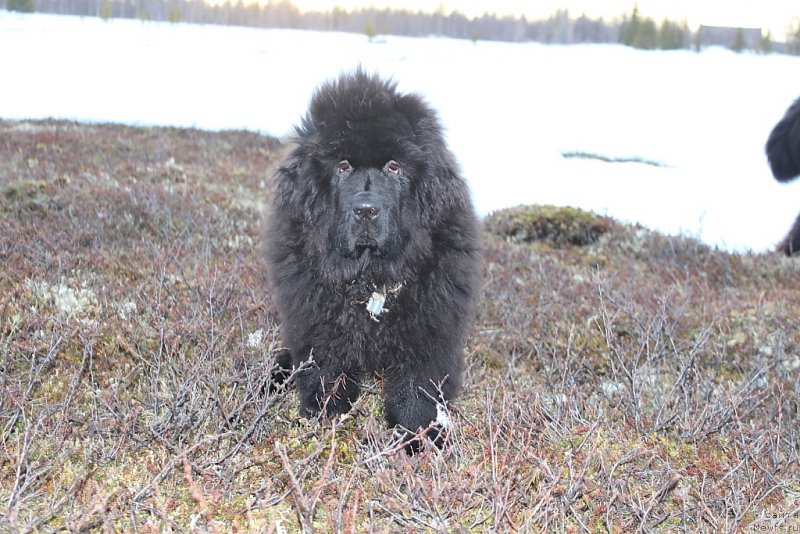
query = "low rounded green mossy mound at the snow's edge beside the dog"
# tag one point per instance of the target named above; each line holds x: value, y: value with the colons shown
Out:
x: 556, y: 225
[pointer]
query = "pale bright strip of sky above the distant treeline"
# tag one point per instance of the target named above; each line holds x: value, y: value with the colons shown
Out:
x: 775, y: 15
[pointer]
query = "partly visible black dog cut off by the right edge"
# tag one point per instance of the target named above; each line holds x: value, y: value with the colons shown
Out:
x: 783, y: 152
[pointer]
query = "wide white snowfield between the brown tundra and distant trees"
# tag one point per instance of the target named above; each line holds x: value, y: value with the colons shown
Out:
x: 705, y: 115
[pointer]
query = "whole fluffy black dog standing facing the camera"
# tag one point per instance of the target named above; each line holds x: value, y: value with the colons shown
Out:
x: 370, y: 206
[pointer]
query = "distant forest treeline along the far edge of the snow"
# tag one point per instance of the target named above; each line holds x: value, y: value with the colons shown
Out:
x: 633, y: 29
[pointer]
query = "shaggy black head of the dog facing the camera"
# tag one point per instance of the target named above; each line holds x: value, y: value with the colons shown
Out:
x: 370, y: 180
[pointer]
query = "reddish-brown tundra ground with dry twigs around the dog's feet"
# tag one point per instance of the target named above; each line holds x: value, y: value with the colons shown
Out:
x: 639, y: 383
